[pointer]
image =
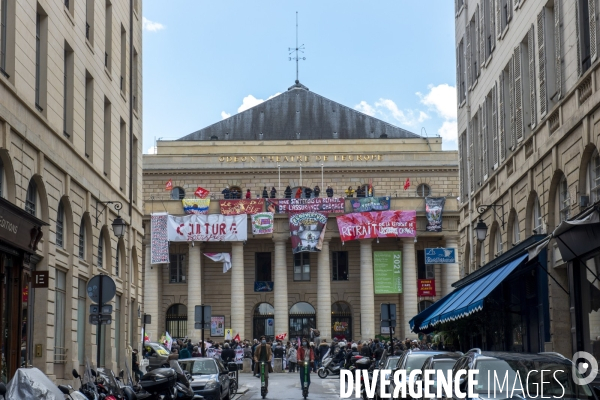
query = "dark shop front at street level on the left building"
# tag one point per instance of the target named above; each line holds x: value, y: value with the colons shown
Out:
x: 20, y: 234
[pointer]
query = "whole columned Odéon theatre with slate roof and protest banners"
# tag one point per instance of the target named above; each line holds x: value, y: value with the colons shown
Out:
x: 291, y: 274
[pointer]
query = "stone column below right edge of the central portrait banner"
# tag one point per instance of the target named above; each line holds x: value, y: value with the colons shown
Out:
x: 324, y: 292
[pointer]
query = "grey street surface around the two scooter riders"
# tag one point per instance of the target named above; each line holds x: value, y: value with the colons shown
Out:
x: 286, y: 386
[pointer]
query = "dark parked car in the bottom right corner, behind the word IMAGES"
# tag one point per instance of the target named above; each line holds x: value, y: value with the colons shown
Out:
x: 556, y: 376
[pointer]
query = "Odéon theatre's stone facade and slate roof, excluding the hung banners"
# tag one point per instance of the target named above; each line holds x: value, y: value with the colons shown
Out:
x: 301, y: 140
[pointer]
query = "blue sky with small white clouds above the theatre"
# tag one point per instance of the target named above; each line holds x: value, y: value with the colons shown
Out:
x: 206, y: 60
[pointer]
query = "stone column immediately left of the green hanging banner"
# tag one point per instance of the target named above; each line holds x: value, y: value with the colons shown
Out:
x: 367, y: 291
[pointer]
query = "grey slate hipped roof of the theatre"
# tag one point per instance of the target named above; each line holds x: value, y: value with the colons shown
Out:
x: 299, y: 114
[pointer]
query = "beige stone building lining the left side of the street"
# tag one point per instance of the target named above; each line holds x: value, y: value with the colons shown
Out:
x: 70, y: 141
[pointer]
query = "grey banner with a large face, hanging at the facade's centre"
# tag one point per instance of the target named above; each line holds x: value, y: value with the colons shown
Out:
x: 308, y: 230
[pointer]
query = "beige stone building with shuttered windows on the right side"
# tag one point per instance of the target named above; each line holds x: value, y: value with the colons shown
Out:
x: 527, y: 74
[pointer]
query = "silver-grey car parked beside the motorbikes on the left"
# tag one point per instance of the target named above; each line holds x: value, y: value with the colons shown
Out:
x: 209, y: 377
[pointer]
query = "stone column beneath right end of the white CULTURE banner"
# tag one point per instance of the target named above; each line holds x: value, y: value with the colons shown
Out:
x: 238, y: 307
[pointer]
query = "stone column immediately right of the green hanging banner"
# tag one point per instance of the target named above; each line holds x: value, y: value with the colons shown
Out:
x: 409, y: 284
